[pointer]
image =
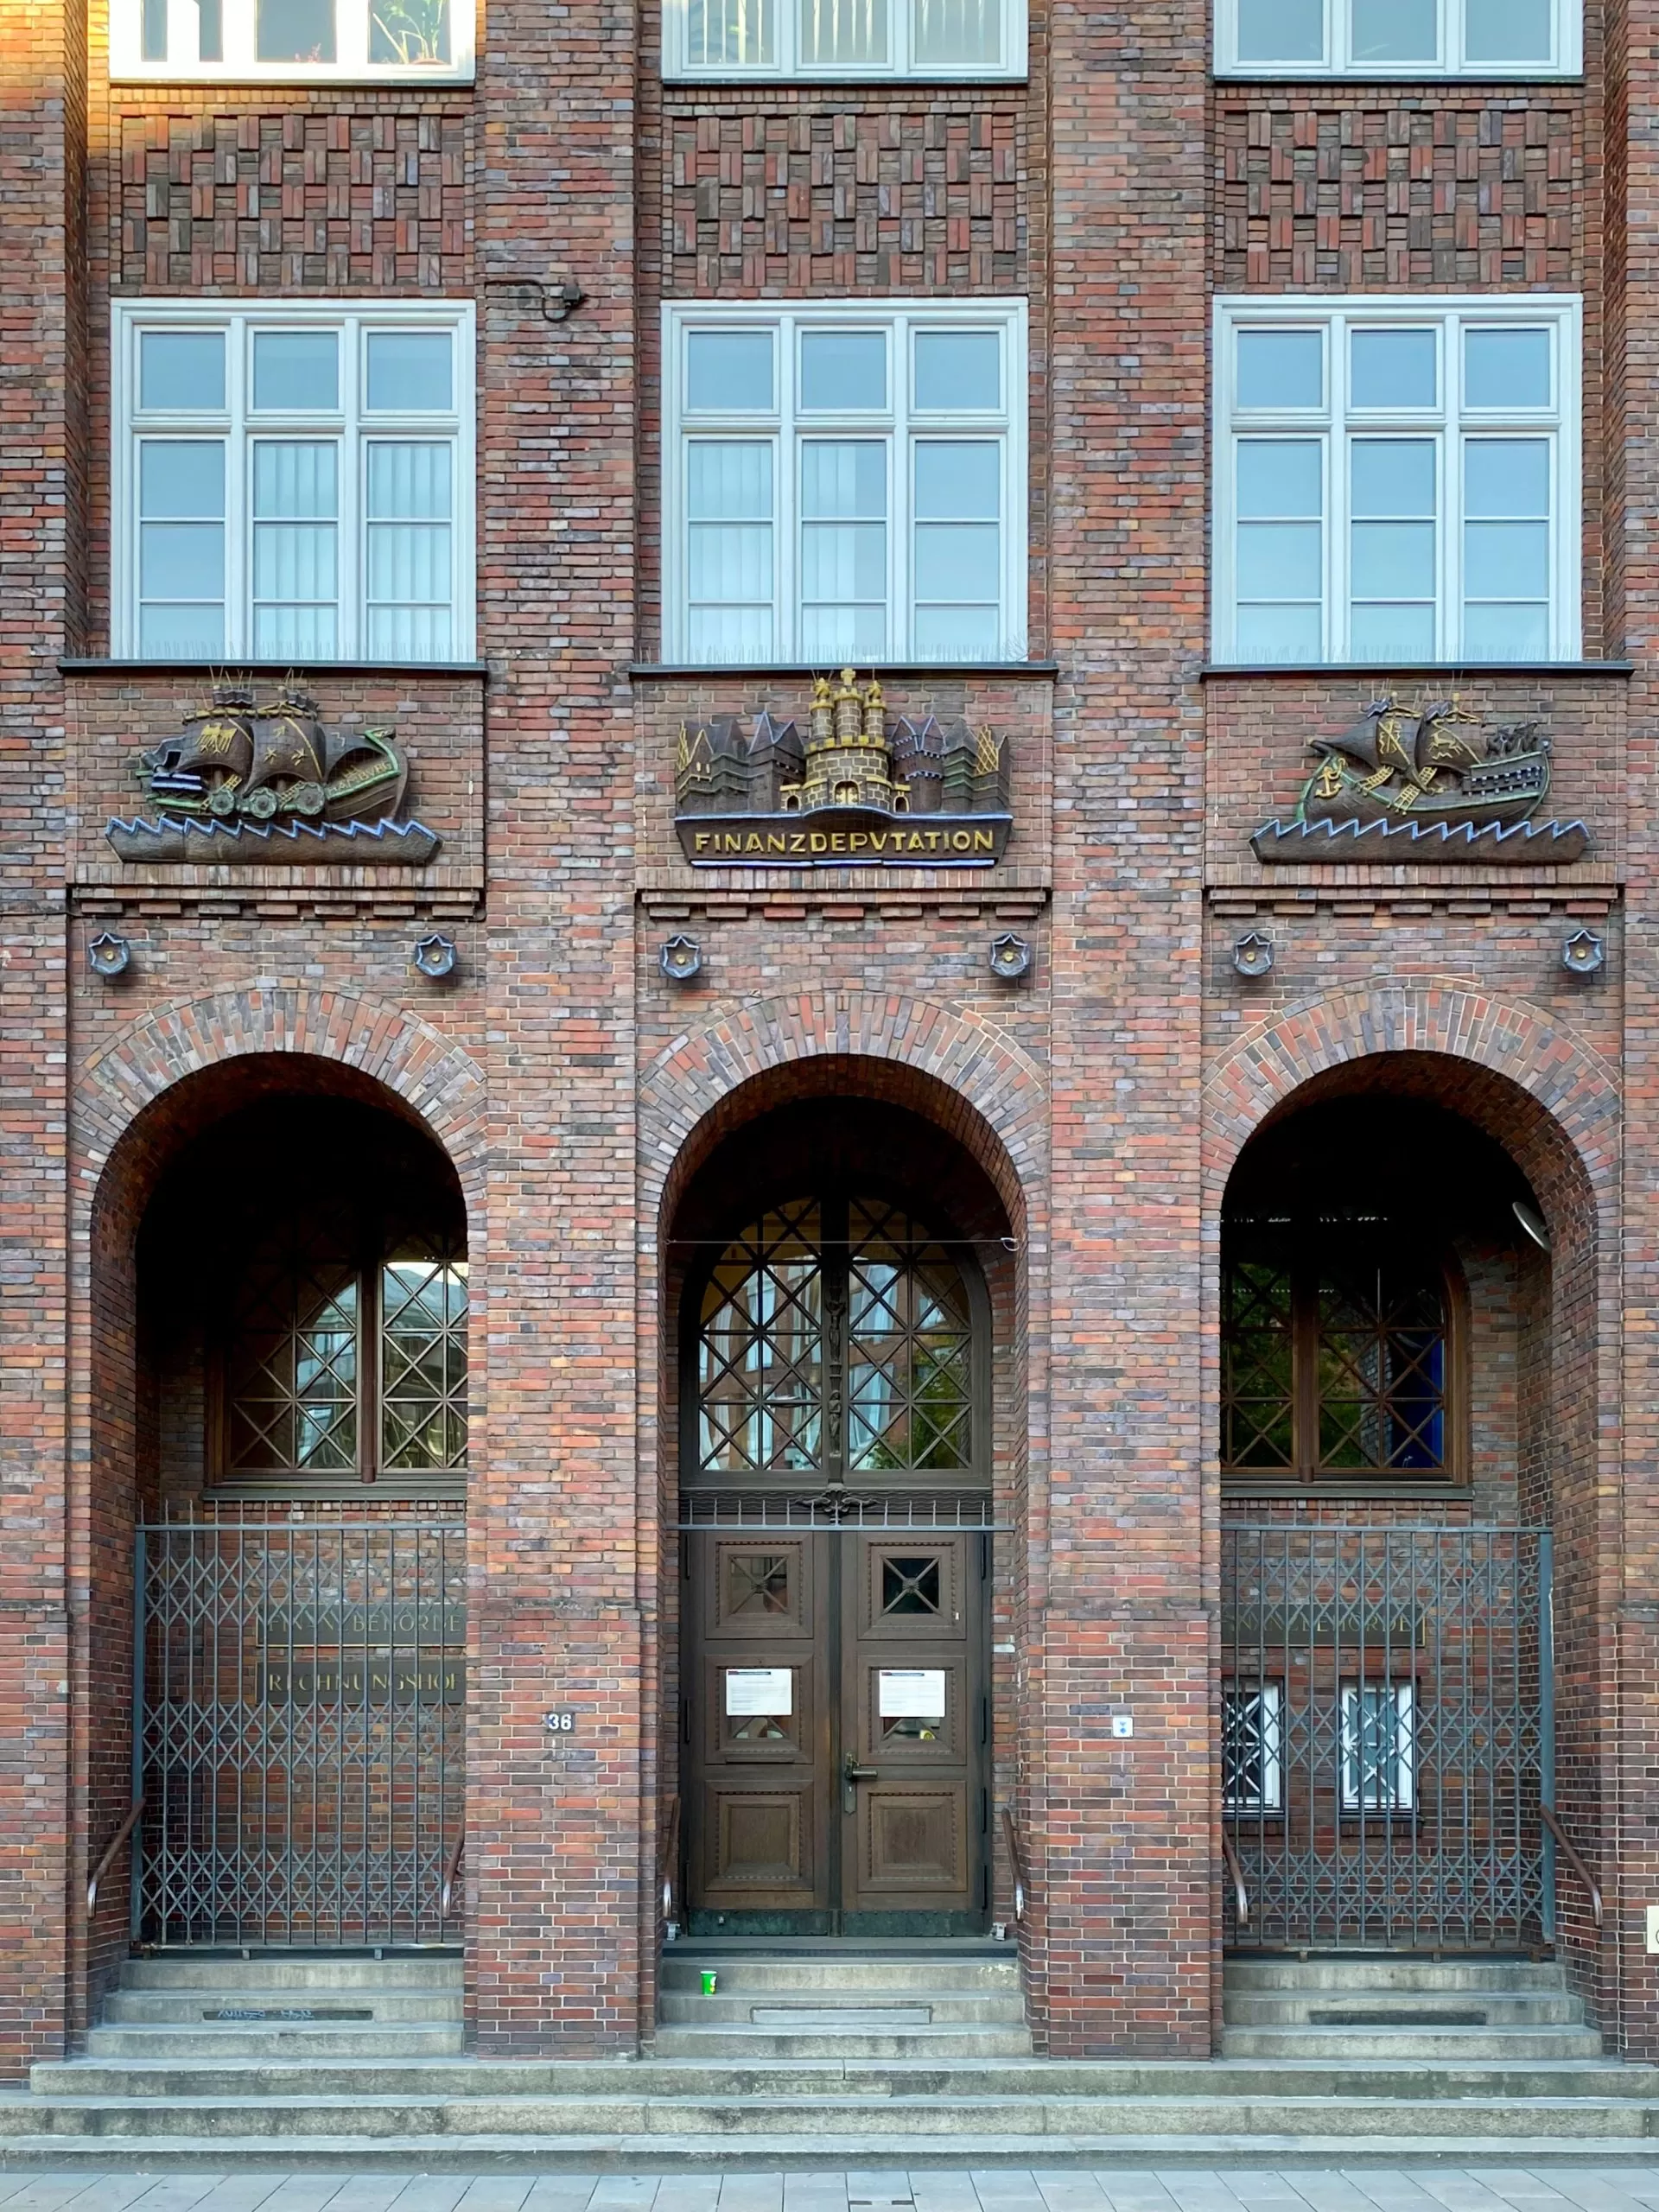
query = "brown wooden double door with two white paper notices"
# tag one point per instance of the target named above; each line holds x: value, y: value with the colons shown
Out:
x: 837, y: 1733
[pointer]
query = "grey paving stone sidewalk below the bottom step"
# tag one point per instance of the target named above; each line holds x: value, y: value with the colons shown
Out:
x: 1109, y: 2189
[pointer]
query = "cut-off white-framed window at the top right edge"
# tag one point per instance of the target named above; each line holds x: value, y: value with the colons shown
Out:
x: 1399, y: 39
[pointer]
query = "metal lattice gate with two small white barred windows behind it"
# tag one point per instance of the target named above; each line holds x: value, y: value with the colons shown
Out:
x: 1386, y: 1738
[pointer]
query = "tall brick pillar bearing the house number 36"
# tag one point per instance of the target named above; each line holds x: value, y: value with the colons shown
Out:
x: 554, y: 1835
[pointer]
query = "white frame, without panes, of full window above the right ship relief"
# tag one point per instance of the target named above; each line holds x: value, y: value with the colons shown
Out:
x: 1448, y: 424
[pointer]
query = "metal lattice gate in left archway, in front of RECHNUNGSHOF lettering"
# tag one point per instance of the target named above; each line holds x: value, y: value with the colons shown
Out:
x: 302, y: 1724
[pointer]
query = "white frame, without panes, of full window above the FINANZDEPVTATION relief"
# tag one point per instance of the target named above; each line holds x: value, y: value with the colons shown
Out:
x: 899, y: 426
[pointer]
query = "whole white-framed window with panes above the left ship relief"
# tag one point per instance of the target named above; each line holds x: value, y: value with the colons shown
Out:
x: 293, y: 481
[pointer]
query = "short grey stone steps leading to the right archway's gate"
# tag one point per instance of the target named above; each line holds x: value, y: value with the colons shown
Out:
x: 1401, y: 2010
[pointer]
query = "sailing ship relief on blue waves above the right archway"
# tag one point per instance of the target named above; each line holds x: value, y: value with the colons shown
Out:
x: 1428, y: 784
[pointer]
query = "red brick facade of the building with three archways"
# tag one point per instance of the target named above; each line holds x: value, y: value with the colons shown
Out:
x: 1094, y: 1109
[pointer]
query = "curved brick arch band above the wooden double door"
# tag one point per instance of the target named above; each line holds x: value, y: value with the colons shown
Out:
x: 988, y: 1092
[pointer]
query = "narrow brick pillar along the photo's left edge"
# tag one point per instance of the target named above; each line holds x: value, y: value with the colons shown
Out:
x: 41, y: 189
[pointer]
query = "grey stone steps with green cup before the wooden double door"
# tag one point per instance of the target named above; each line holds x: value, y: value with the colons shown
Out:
x: 935, y: 2003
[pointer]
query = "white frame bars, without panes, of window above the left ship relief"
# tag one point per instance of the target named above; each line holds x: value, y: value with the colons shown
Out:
x: 348, y: 424
